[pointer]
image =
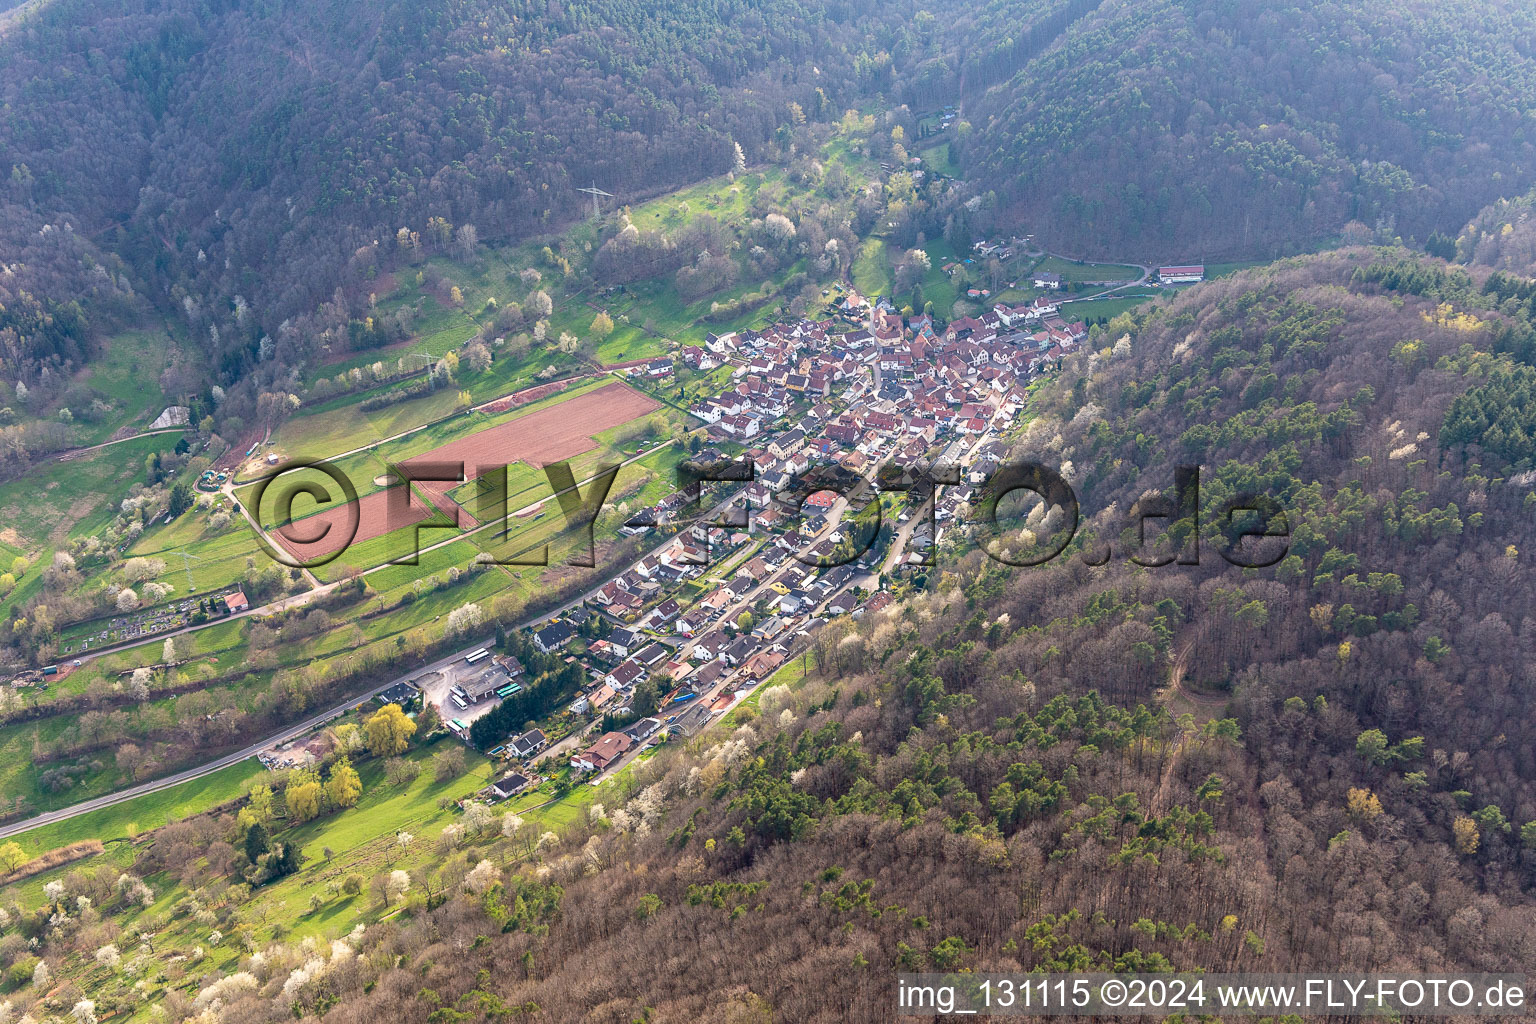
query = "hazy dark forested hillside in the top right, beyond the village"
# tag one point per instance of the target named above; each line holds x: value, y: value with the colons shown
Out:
x: 1205, y: 128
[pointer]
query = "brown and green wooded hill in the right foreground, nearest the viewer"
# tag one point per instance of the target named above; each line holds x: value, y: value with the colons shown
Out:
x: 1322, y: 764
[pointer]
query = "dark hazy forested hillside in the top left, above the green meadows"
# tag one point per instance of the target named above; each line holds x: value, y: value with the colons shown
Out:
x: 247, y: 159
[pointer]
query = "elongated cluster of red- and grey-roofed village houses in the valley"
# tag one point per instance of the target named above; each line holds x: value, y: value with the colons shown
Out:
x: 681, y: 636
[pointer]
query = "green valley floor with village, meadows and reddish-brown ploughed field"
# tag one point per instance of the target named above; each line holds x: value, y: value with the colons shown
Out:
x: 798, y: 449
